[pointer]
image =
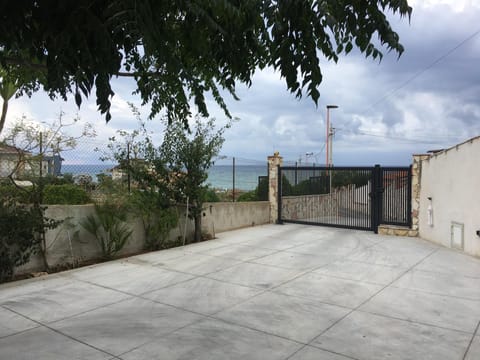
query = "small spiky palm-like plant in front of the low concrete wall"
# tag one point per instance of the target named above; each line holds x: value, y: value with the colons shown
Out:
x: 109, y: 228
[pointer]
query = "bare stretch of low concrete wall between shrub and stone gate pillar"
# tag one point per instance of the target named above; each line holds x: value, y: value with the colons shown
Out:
x: 224, y: 216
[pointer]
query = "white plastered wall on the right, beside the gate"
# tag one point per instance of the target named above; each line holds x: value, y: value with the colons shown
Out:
x: 451, y: 179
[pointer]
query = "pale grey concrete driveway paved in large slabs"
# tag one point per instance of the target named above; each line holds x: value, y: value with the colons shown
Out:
x: 269, y: 292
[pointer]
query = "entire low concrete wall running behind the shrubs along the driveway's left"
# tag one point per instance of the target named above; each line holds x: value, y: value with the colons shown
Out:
x: 70, y: 243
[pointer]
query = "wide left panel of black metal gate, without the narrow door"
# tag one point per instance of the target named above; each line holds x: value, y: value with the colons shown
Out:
x: 337, y: 197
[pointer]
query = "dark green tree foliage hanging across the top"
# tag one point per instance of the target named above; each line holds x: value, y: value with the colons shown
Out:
x: 184, y: 49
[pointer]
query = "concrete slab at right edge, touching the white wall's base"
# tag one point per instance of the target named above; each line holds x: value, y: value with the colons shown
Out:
x: 449, y: 261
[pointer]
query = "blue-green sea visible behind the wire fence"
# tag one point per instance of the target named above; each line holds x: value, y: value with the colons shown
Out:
x: 224, y: 177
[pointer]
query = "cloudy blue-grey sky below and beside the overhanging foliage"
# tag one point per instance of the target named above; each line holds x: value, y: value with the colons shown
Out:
x: 427, y: 99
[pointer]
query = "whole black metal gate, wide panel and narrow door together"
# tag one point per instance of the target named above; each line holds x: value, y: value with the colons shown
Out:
x: 347, y: 197
